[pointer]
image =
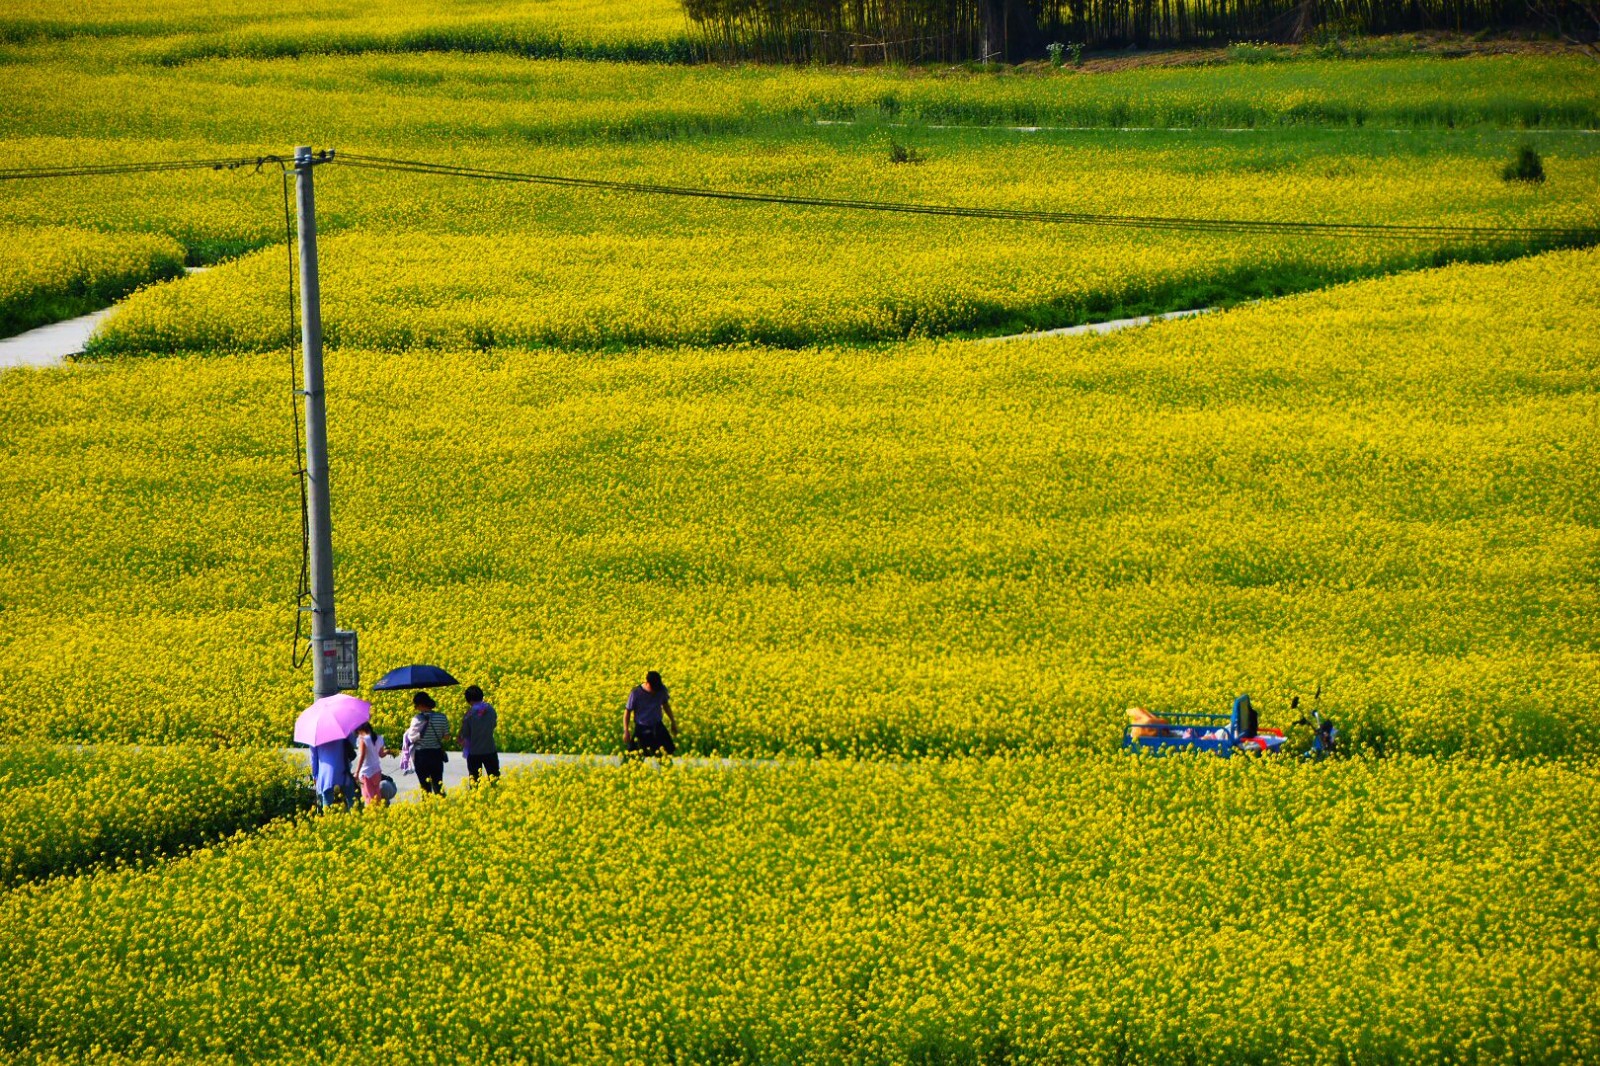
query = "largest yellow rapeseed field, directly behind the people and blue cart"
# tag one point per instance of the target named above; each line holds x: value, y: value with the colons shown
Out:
x: 929, y: 548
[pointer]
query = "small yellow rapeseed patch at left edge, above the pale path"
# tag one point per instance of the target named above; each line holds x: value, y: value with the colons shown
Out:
x: 55, y: 273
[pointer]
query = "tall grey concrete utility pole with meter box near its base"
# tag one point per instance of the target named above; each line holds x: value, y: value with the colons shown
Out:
x: 334, y: 652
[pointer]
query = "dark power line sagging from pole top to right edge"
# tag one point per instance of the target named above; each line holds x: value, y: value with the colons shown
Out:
x: 1390, y: 231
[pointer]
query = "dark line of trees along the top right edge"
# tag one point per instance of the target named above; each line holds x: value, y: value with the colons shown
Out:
x: 1010, y: 31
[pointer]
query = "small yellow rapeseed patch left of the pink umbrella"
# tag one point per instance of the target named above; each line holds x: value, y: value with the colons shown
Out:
x: 65, y: 809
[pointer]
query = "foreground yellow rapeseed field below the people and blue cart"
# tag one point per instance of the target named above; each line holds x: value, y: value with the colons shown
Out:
x: 1090, y: 910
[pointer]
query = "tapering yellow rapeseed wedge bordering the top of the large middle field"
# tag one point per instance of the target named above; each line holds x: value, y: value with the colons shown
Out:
x: 455, y: 292
